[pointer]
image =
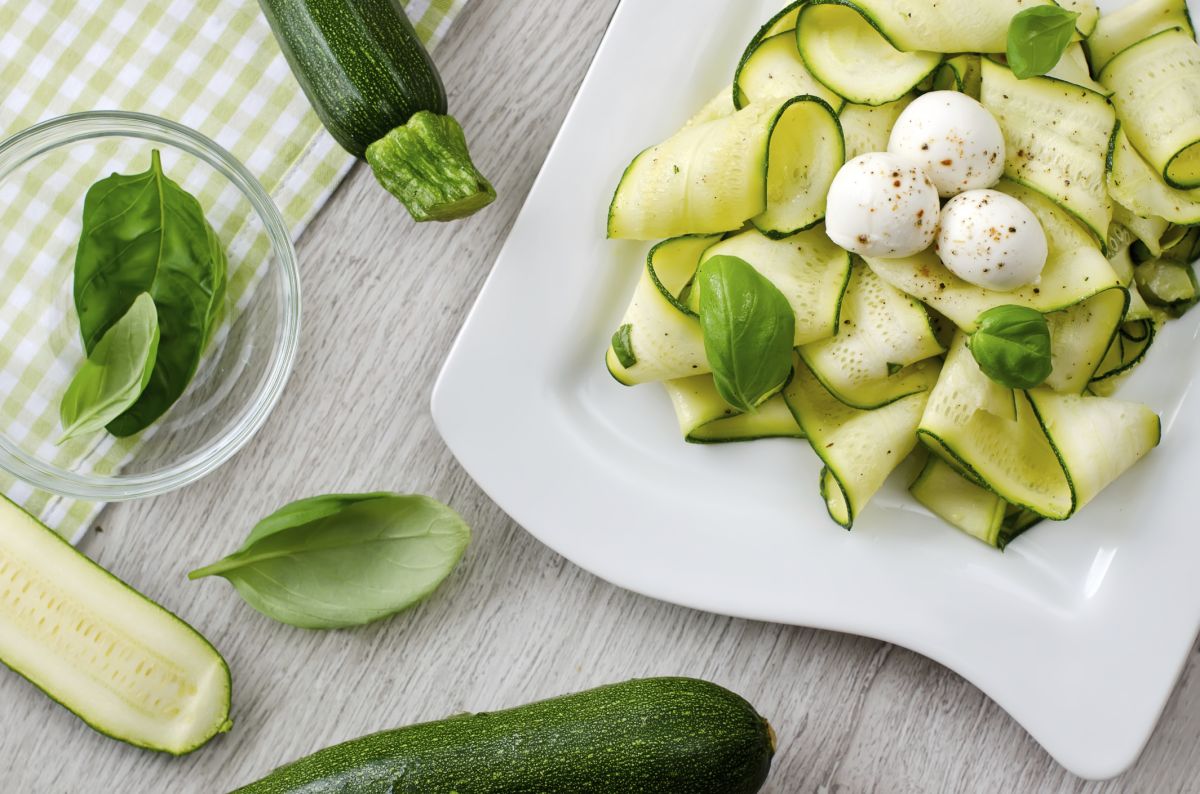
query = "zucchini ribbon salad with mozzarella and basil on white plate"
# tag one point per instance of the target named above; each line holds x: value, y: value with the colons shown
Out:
x: 946, y: 230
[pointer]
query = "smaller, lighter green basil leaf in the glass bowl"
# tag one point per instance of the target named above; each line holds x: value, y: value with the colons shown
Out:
x: 116, y: 374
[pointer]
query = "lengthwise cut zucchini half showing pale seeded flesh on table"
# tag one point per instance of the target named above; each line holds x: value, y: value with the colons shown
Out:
x: 121, y: 663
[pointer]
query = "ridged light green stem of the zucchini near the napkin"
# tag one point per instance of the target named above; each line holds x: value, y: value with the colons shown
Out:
x: 425, y: 164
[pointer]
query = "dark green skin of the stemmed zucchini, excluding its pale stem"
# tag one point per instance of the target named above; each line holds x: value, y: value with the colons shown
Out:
x: 361, y: 64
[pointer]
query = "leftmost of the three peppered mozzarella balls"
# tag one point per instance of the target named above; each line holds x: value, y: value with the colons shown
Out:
x: 881, y: 206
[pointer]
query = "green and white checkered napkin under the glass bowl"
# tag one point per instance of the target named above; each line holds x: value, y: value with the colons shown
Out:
x: 212, y: 65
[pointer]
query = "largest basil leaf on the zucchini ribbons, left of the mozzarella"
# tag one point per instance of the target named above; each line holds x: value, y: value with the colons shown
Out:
x: 749, y: 332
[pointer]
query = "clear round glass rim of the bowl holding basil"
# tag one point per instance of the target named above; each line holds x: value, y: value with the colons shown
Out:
x: 63, y: 131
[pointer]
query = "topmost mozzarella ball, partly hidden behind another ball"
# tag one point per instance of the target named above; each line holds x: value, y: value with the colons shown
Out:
x: 955, y: 139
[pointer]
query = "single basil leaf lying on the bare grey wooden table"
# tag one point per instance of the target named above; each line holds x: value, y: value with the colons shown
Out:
x: 345, y: 561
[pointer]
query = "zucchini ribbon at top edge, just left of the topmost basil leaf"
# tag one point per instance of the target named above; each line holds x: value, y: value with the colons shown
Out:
x: 943, y: 27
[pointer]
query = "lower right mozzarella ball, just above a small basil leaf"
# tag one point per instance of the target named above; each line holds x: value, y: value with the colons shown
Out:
x: 992, y: 240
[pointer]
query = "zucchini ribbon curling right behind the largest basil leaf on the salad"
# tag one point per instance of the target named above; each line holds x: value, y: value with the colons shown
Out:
x: 808, y: 269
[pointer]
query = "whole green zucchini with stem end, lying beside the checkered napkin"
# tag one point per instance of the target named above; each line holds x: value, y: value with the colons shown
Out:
x: 376, y: 89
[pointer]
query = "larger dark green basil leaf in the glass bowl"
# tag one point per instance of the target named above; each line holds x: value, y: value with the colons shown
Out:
x: 143, y: 233
